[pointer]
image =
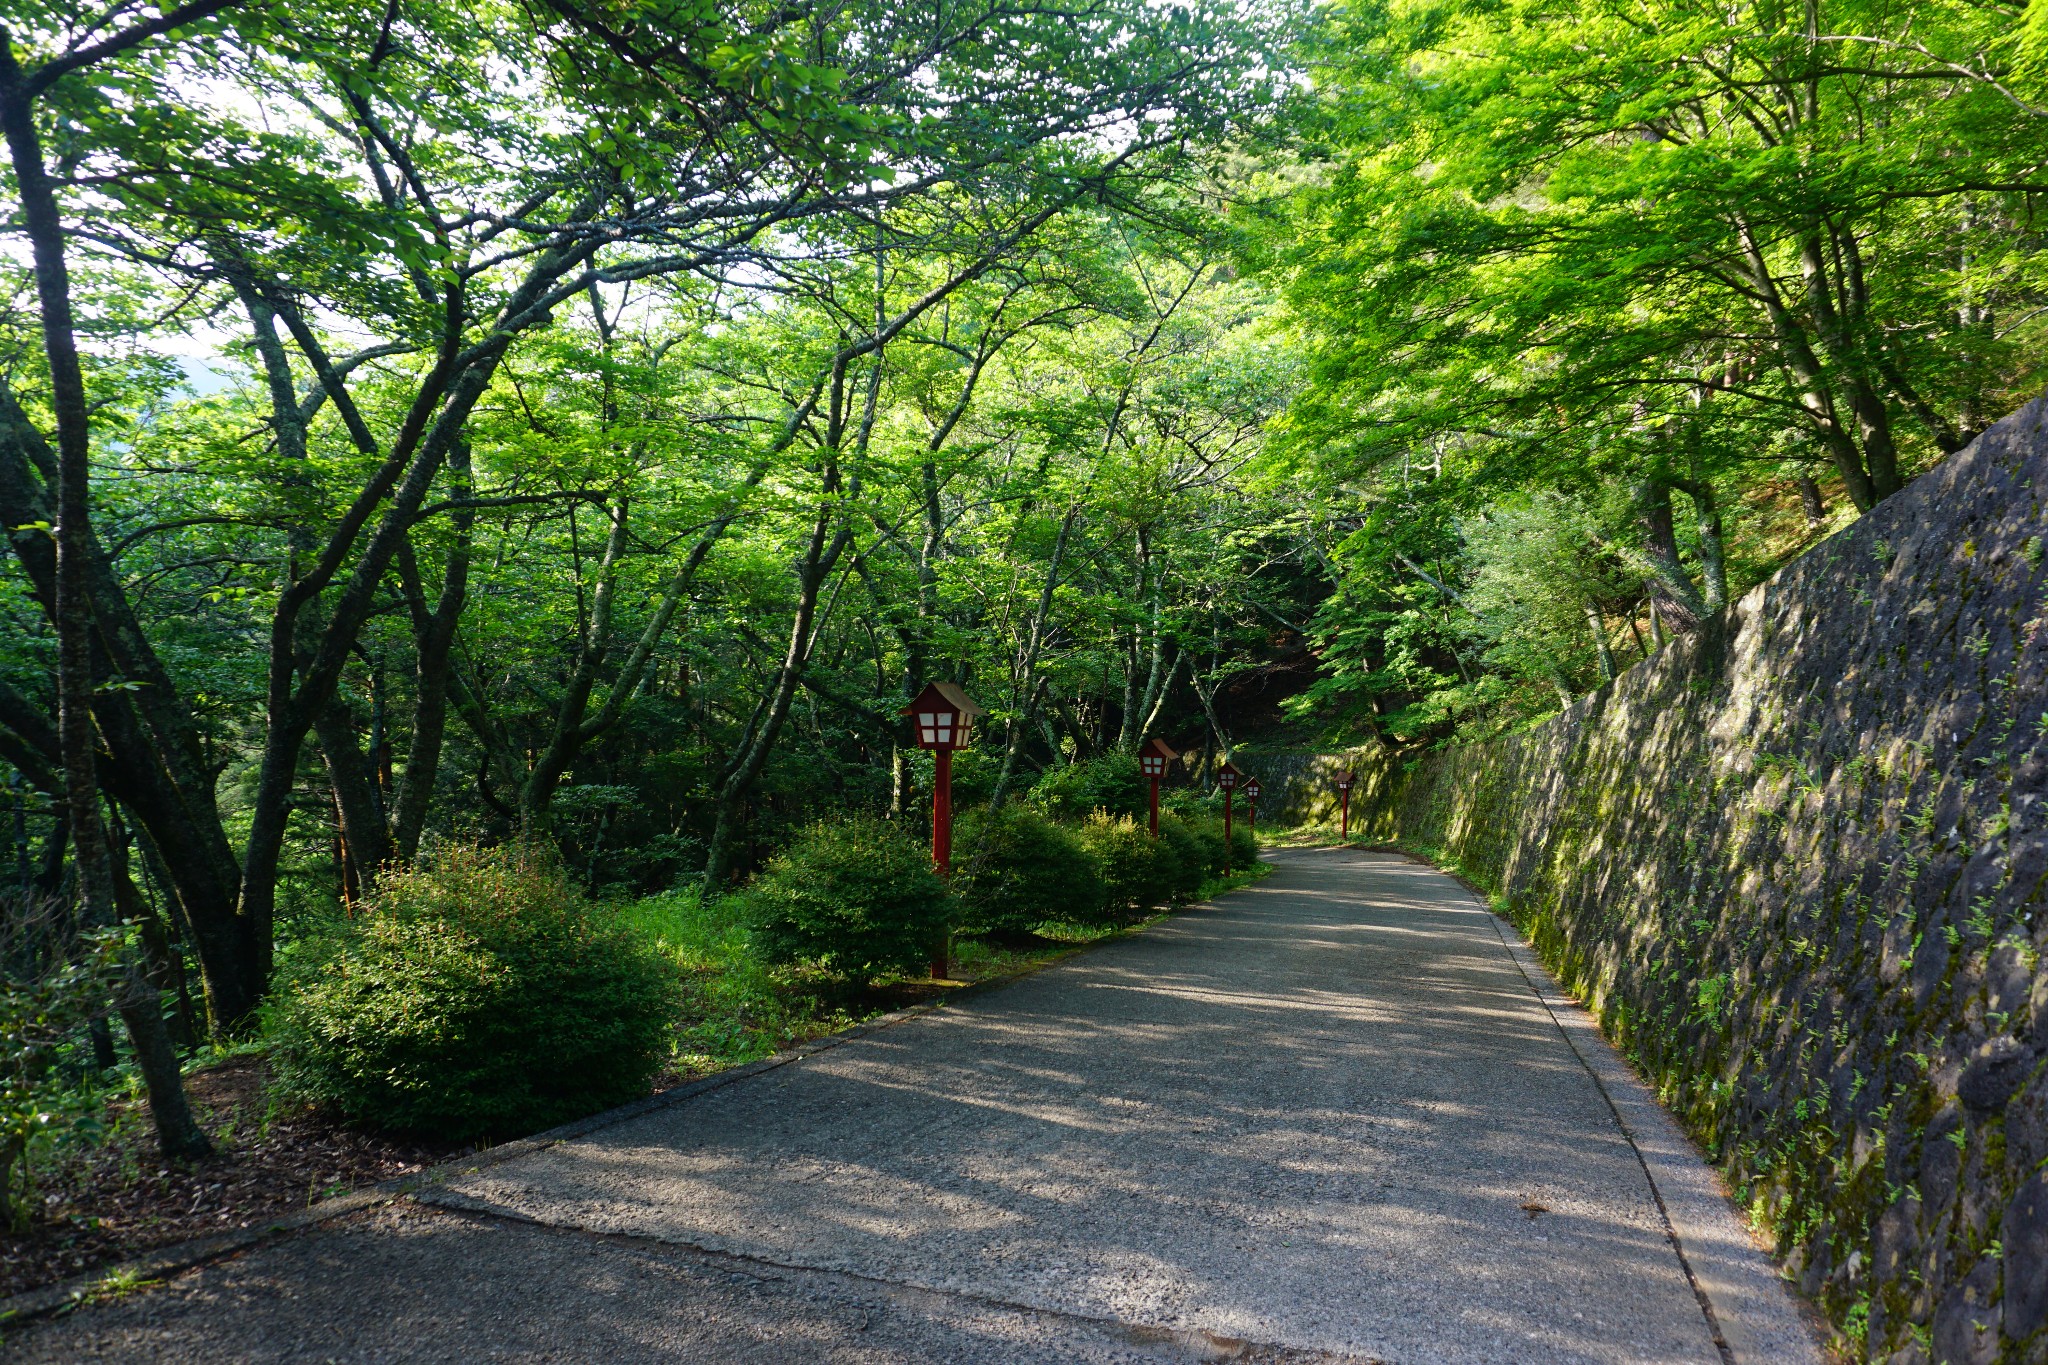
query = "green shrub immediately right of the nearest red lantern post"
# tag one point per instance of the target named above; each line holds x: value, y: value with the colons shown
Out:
x: 1017, y: 871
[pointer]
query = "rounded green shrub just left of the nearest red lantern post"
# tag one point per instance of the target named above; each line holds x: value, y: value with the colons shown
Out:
x: 853, y: 895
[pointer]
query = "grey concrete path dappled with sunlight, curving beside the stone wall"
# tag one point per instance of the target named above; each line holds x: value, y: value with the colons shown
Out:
x: 1338, y: 1116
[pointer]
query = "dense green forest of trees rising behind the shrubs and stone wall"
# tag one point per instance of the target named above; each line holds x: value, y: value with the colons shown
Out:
x: 427, y: 425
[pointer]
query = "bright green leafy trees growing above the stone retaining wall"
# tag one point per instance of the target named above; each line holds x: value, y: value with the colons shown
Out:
x: 1586, y: 333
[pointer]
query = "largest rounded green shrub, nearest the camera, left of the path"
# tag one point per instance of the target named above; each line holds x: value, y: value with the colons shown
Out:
x: 476, y: 998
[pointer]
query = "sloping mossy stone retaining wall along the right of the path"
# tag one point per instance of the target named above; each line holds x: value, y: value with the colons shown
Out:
x: 1799, y: 875
